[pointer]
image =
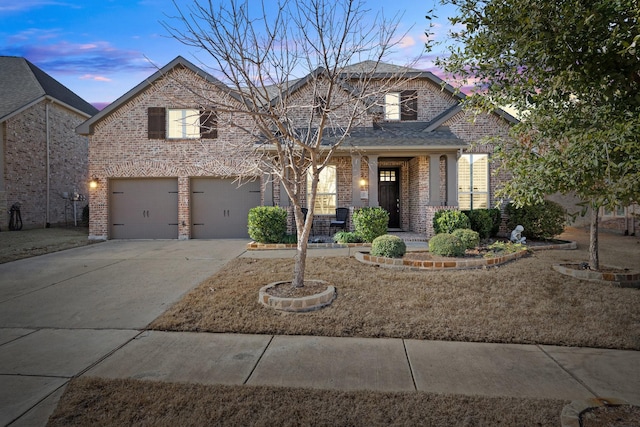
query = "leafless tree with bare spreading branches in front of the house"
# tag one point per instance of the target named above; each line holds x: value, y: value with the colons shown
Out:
x: 290, y: 74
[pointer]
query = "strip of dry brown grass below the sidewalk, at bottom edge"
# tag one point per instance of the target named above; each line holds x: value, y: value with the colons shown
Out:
x: 99, y: 402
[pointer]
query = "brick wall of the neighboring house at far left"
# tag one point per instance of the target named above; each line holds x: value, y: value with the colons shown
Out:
x: 25, y: 155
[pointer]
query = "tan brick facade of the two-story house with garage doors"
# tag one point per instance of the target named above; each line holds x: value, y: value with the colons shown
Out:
x: 120, y: 148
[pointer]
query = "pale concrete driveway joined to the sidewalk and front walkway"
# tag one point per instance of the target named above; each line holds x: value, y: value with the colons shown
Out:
x: 84, y: 312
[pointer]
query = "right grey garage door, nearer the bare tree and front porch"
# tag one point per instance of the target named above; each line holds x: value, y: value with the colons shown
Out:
x: 219, y: 208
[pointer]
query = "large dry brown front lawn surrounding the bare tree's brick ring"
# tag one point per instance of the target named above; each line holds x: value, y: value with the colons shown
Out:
x: 524, y: 301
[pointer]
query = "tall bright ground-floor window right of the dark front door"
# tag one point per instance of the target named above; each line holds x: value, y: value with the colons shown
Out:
x: 473, y: 181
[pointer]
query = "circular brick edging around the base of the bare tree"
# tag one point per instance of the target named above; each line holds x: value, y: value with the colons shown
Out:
x: 300, y: 303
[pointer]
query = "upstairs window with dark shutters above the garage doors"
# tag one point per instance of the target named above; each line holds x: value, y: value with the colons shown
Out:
x: 174, y: 123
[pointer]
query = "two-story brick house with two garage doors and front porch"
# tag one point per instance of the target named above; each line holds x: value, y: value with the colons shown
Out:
x: 156, y: 180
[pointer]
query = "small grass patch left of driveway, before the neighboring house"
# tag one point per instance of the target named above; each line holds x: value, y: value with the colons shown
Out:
x: 15, y: 245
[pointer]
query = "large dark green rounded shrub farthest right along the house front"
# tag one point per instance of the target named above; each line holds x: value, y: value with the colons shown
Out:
x: 542, y: 221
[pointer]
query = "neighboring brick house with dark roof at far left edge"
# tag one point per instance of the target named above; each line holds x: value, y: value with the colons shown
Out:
x: 42, y: 159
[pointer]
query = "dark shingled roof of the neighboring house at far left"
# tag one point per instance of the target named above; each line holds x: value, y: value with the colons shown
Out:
x: 23, y: 84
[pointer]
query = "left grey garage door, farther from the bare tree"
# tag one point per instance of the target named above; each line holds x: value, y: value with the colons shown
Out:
x: 144, y: 208
